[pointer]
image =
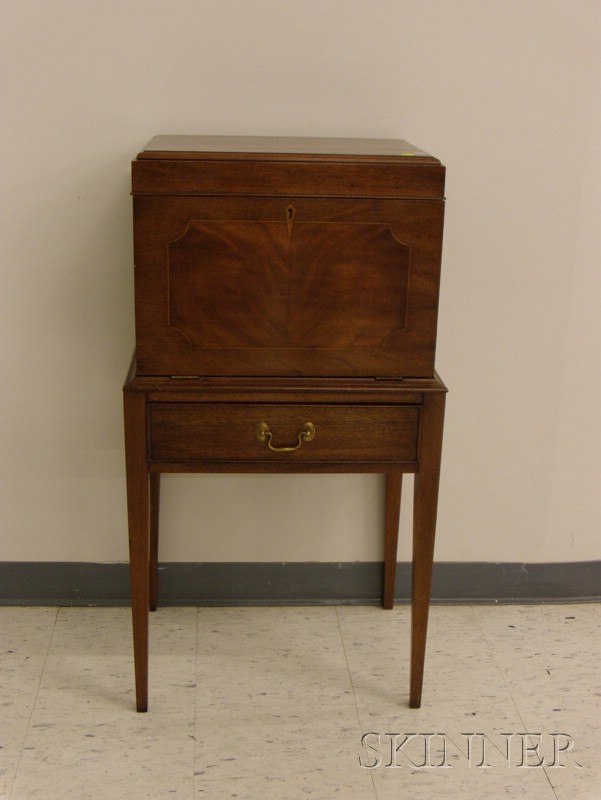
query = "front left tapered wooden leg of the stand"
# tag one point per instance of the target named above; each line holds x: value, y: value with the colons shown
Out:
x: 138, y: 507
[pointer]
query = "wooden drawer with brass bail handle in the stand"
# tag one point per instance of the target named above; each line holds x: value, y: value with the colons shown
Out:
x: 199, y: 432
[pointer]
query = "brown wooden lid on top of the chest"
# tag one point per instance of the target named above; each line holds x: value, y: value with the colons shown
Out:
x: 286, y: 165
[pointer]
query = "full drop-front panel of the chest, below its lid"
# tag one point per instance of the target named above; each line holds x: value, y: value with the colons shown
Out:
x: 286, y: 286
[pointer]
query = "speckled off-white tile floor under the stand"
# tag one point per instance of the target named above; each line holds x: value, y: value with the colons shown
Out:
x: 302, y: 702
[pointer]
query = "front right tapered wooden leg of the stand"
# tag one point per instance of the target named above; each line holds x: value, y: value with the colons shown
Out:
x: 424, y: 528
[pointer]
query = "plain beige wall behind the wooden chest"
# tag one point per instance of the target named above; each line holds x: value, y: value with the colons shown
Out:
x: 506, y: 92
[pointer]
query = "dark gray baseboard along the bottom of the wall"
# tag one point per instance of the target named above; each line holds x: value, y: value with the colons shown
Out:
x: 242, y: 583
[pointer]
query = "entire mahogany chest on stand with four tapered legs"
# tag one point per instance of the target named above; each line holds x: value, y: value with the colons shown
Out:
x: 286, y: 300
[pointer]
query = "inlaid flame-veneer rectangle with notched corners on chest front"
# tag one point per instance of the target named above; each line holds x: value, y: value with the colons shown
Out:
x: 279, y: 285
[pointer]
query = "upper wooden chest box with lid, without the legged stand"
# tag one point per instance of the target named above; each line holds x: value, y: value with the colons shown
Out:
x: 286, y: 257
